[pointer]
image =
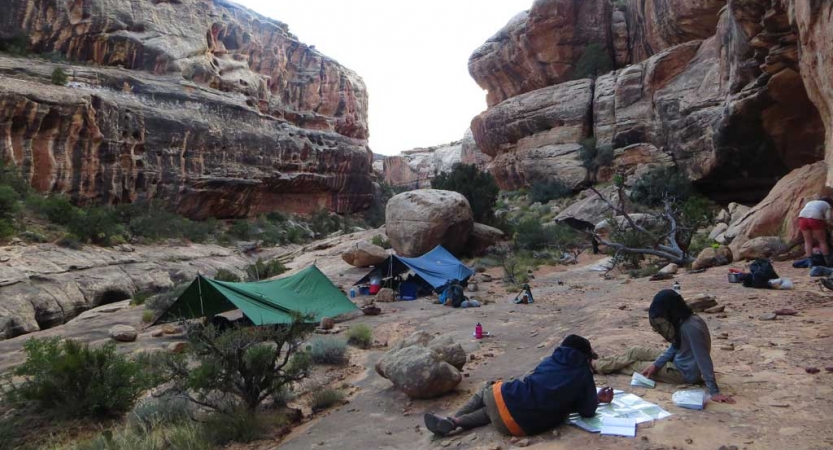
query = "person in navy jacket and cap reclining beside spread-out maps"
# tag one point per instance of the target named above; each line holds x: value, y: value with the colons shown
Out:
x: 560, y: 385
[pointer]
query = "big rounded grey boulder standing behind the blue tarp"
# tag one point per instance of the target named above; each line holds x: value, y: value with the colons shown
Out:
x: 418, y: 221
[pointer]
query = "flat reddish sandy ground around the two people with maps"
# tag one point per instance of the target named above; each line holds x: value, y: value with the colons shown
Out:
x: 779, y: 405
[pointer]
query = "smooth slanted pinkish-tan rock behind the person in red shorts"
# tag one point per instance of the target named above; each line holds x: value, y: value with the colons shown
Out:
x: 777, y: 214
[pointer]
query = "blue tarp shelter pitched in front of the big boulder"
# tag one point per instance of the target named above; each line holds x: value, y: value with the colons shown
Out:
x: 435, y: 268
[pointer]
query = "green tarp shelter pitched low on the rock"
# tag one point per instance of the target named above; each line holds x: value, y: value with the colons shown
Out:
x: 308, y: 293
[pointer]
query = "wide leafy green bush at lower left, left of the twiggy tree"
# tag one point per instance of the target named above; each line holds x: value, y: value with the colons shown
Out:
x: 75, y: 380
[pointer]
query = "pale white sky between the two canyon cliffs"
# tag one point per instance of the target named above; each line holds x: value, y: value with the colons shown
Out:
x: 412, y: 55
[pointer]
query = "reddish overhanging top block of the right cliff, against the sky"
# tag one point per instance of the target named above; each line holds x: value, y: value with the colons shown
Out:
x: 540, y: 47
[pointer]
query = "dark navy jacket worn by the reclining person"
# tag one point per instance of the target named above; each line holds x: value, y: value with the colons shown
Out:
x: 560, y: 385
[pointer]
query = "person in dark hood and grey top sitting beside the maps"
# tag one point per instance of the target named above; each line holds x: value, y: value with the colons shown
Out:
x: 686, y: 361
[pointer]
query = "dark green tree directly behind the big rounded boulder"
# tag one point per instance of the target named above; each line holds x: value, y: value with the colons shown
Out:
x: 479, y: 188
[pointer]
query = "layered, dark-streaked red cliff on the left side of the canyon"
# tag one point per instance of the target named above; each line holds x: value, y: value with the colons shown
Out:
x: 206, y: 105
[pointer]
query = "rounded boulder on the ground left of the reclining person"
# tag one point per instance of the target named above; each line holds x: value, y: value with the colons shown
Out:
x: 423, y: 367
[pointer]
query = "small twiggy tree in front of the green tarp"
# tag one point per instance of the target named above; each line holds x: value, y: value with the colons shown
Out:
x: 241, y: 366
